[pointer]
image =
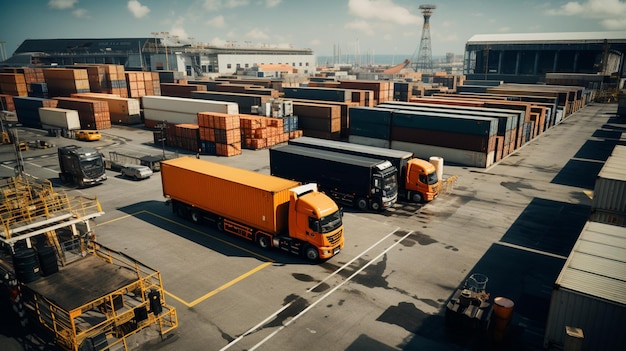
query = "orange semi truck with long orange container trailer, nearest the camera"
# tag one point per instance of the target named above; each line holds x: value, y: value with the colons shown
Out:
x: 271, y: 211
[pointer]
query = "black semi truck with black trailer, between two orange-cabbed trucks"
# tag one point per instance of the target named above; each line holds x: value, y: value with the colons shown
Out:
x: 362, y: 182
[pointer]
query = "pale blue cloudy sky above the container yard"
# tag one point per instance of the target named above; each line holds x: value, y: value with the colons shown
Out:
x: 353, y: 27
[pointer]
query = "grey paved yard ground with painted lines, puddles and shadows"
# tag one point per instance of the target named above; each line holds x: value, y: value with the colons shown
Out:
x: 514, y: 223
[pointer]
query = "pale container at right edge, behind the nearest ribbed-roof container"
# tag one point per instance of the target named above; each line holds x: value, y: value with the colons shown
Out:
x: 609, y: 193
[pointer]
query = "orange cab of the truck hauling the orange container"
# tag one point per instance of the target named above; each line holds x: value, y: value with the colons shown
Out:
x: 316, y: 219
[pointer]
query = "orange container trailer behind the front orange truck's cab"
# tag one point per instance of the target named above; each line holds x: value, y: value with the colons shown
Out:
x: 255, y: 199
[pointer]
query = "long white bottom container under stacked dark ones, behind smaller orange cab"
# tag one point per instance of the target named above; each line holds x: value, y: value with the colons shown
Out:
x: 463, y: 157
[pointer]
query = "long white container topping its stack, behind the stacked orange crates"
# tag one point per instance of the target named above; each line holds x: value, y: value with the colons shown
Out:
x: 184, y: 105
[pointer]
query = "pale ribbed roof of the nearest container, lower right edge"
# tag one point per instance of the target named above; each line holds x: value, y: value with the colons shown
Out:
x: 597, y: 264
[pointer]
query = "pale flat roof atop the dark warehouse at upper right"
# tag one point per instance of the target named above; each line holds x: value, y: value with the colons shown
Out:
x: 520, y: 38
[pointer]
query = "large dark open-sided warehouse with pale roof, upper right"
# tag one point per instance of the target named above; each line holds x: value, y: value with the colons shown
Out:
x: 527, y: 58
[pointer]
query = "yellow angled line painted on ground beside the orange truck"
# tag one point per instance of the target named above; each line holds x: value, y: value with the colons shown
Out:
x: 219, y: 289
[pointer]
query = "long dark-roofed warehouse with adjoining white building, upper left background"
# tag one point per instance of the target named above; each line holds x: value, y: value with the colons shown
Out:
x: 153, y: 54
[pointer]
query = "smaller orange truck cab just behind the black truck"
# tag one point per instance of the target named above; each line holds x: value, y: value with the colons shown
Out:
x: 421, y: 183
